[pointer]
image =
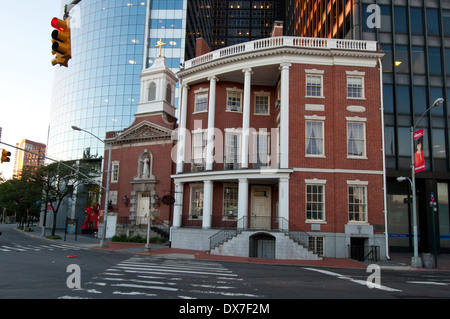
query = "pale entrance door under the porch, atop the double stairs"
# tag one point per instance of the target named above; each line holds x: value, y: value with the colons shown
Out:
x: 261, y: 210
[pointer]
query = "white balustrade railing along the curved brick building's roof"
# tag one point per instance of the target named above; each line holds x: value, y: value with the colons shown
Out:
x: 275, y: 42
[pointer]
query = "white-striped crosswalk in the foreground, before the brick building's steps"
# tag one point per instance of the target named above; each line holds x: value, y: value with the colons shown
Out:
x: 150, y: 276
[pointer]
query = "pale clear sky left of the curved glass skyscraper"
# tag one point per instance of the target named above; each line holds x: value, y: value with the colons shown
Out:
x: 26, y: 73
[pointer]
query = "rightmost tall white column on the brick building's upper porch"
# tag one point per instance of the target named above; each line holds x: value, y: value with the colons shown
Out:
x: 284, y: 116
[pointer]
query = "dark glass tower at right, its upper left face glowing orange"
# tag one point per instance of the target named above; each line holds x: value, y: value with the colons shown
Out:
x: 415, y: 37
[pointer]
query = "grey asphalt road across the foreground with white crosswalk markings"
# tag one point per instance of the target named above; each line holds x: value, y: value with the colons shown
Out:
x: 35, y: 268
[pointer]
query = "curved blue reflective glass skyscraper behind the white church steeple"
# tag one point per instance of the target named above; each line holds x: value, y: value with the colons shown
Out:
x: 99, y: 91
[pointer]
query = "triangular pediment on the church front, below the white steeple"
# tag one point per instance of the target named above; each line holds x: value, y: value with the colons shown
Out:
x: 143, y: 131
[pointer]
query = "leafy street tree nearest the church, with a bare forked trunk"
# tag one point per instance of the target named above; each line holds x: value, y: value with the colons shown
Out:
x: 57, y: 181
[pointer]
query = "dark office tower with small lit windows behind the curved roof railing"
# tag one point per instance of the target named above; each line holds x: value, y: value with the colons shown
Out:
x: 242, y: 21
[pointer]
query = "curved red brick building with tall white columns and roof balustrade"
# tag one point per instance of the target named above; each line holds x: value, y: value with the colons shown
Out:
x: 281, y: 150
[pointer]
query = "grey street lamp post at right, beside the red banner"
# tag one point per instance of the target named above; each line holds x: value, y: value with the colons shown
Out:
x: 416, y: 262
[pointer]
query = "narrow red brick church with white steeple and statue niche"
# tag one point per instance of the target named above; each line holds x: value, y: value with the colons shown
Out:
x: 140, y: 185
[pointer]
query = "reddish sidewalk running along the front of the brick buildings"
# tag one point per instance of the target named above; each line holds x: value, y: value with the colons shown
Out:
x: 398, y: 261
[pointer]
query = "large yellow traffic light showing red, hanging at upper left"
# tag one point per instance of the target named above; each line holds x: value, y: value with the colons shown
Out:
x: 61, y: 46
